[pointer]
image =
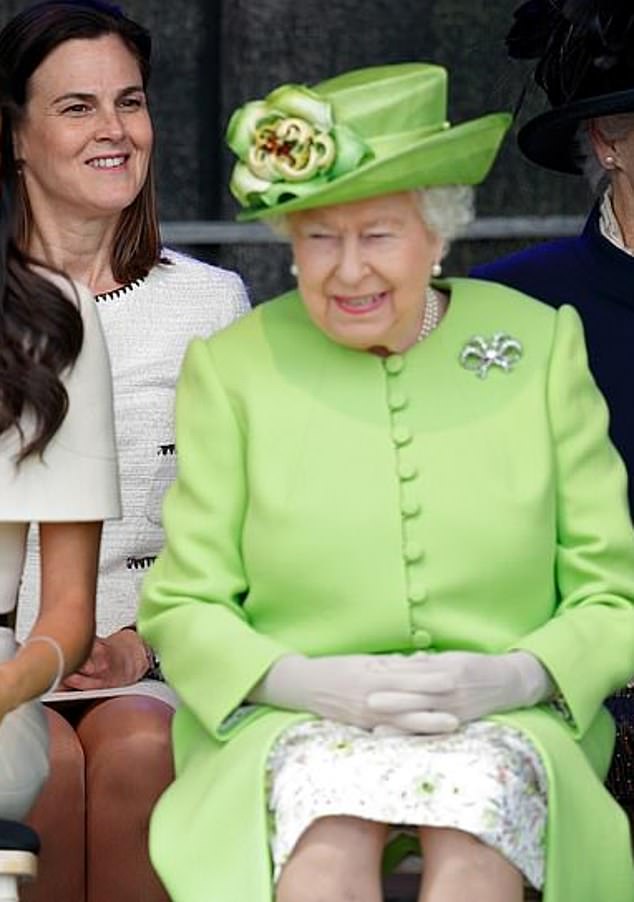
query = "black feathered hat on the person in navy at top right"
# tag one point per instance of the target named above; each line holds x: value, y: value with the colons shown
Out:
x: 585, y: 52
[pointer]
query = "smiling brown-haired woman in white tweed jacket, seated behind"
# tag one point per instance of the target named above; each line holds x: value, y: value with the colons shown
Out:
x: 82, y: 140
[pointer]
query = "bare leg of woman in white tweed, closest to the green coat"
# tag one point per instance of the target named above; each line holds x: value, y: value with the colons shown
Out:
x: 127, y: 746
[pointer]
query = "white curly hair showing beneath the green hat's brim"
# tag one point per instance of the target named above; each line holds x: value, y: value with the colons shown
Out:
x: 447, y: 210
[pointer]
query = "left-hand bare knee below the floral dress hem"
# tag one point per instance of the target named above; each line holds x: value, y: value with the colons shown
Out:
x: 338, y: 859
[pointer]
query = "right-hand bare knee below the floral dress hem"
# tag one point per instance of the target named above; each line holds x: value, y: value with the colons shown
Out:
x: 457, y: 866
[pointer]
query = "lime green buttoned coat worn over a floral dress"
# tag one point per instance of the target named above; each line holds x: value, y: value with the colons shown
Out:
x: 330, y: 501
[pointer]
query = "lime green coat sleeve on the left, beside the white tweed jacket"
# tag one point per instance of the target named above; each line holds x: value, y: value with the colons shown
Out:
x: 191, y: 608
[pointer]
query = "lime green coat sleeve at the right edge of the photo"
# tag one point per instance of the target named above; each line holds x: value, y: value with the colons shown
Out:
x: 588, y: 646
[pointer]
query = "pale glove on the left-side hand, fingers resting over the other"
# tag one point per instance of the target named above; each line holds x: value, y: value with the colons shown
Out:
x: 338, y: 687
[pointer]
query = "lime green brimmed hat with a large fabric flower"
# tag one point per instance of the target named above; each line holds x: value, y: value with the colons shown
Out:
x: 365, y: 133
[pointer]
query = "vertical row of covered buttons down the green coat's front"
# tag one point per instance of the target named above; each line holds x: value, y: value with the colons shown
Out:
x: 411, y: 508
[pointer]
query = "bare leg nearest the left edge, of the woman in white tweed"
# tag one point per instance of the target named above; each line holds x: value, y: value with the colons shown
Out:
x: 58, y: 816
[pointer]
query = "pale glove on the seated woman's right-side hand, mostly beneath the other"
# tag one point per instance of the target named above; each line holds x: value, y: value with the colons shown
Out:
x: 479, y: 684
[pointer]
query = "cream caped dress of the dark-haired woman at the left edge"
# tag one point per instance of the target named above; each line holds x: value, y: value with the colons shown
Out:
x: 75, y: 480
